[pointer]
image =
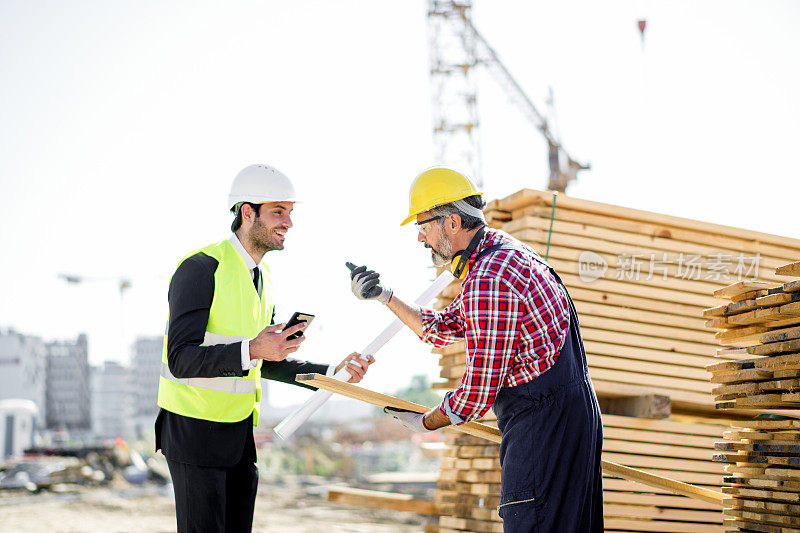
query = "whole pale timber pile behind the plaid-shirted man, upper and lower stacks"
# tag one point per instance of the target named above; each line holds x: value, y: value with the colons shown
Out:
x: 645, y: 338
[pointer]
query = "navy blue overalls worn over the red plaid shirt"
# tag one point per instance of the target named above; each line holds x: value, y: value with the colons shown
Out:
x: 551, y: 477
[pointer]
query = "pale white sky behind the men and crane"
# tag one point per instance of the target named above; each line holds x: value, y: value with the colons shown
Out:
x: 124, y: 123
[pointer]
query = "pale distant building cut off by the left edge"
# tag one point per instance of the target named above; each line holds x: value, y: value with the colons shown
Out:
x: 23, y: 364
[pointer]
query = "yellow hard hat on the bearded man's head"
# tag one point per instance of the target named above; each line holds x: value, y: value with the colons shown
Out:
x: 436, y: 186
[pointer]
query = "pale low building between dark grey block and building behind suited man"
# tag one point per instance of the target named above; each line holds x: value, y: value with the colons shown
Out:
x: 112, y: 400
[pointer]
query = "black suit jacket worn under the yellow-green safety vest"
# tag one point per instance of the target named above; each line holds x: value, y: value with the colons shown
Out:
x: 191, y: 440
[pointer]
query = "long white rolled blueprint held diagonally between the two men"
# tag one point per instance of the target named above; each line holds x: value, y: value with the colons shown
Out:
x: 290, y: 424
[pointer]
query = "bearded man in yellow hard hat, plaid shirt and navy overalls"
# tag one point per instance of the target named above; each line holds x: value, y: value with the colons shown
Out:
x: 525, y: 358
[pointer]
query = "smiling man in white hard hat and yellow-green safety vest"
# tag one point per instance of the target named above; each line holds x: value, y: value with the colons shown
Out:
x: 220, y: 340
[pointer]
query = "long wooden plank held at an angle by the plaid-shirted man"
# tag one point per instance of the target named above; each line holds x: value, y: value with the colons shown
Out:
x: 493, y: 435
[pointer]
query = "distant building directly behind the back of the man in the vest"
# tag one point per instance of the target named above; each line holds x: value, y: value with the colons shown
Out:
x: 146, y: 368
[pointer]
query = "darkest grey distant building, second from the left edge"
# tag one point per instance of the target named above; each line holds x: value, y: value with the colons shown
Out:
x: 67, y: 385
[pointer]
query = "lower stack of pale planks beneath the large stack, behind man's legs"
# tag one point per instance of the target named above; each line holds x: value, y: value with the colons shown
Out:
x: 468, y: 490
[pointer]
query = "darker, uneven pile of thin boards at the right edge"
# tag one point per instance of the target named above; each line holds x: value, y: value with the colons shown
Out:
x: 760, y: 324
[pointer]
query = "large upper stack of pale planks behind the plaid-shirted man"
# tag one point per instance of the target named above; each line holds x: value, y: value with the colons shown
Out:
x: 644, y: 333
